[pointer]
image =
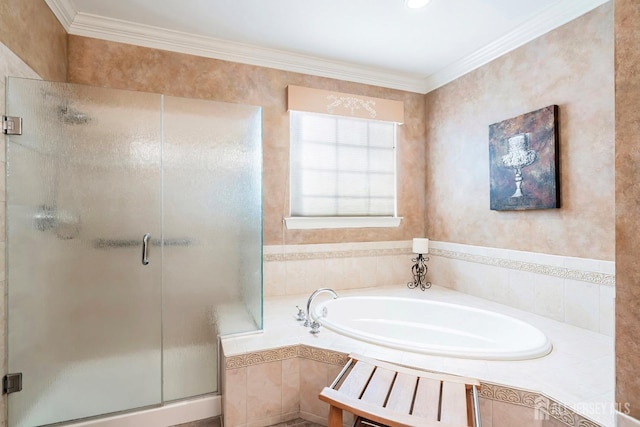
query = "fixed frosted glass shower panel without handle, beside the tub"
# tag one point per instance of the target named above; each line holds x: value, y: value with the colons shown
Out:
x: 212, y: 222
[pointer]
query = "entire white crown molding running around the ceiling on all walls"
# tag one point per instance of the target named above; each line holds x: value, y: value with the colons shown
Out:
x: 99, y: 27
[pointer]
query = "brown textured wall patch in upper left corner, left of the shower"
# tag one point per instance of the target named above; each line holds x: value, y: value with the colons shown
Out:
x: 31, y: 31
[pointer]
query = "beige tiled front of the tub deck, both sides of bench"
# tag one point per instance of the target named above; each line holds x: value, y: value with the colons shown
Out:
x: 320, y: 366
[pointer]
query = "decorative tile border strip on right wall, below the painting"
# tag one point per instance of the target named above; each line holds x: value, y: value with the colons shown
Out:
x: 562, y: 272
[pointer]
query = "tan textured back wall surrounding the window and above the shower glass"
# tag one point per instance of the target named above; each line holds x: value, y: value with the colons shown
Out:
x: 109, y: 64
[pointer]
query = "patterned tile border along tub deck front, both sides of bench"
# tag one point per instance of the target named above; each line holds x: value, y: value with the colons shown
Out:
x: 545, y: 406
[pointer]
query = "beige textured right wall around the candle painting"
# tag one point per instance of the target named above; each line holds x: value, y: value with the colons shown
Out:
x: 571, y: 67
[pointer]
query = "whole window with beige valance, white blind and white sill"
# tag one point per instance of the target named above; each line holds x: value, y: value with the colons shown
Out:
x: 342, y: 159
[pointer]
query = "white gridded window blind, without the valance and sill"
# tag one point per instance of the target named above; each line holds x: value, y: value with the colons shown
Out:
x: 342, y: 166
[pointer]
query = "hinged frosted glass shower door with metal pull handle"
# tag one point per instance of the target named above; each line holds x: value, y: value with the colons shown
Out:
x: 84, y: 310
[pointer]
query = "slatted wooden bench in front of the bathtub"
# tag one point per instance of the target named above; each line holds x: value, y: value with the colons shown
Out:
x: 396, y: 396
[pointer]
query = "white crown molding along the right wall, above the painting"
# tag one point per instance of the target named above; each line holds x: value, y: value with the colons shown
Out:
x: 547, y: 20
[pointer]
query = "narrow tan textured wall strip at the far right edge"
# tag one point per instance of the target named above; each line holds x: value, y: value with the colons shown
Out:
x: 627, y: 38
